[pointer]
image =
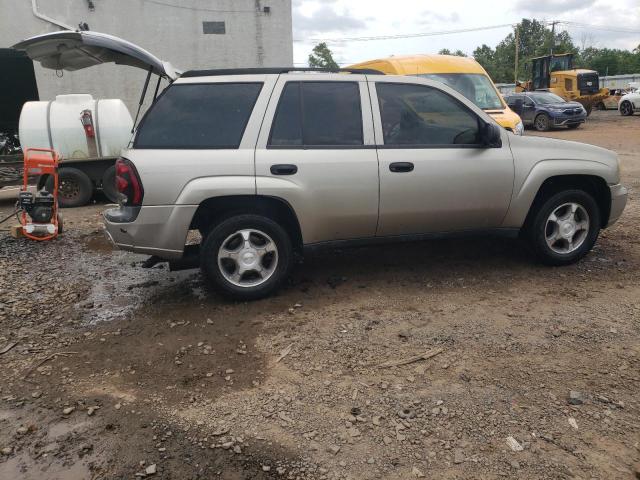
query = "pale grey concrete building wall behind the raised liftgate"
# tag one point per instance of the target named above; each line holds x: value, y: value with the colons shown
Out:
x: 170, y: 29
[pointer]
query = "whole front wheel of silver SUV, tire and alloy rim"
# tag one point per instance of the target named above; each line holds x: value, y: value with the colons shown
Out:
x: 564, y: 227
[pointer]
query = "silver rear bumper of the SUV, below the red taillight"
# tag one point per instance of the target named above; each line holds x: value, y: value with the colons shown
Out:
x: 156, y: 230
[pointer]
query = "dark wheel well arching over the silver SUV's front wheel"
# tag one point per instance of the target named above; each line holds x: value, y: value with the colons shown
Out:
x: 593, y: 185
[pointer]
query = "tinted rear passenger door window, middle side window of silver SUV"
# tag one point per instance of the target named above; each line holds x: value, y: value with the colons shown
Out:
x: 318, y: 114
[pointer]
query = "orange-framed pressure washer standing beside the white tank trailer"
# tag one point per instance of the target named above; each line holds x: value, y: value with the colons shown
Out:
x: 39, y: 219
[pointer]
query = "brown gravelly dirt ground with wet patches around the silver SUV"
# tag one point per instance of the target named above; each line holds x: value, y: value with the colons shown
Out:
x: 122, y: 372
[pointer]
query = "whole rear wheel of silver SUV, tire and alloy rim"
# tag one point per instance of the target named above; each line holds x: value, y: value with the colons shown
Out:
x: 247, y: 257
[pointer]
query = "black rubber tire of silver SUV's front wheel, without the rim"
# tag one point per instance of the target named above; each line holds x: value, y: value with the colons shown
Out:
x: 536, y: 230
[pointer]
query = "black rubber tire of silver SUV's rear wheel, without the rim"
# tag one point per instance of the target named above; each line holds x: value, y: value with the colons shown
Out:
x: 218, y: 235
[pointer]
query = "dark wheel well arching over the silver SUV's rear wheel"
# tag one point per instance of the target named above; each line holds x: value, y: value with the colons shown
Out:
x: 214, y: 210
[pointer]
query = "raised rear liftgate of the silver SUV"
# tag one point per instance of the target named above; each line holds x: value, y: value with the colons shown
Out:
x: 67, y: 50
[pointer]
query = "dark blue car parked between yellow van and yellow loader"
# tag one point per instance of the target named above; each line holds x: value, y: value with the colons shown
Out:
x: 544, y: 110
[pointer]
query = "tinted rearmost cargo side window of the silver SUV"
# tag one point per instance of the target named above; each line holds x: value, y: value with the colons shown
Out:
x: 205, y: 116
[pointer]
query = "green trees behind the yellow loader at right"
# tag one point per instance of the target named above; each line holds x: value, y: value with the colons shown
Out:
x: 536, y: 39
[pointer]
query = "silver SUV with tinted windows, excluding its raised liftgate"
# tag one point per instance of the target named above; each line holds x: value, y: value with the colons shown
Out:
x: 265, y: 162
